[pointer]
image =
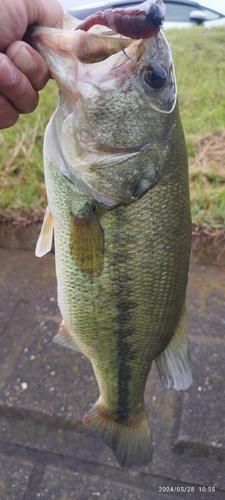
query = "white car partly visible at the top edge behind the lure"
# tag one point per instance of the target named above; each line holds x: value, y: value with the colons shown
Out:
x: 179, y: 13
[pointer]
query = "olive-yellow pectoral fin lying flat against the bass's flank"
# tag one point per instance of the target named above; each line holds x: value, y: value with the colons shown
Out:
x: 87, y: 242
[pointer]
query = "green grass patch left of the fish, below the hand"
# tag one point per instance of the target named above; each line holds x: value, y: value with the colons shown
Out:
x: 22, y: 185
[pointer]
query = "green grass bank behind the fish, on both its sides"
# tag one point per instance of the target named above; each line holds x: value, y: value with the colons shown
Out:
x: 199, y: 58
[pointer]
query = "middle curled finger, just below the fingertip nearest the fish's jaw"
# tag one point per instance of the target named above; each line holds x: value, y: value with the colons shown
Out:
x: 16, y: 87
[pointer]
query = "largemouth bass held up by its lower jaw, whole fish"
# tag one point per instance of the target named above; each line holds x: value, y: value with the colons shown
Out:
x: 118, y: 198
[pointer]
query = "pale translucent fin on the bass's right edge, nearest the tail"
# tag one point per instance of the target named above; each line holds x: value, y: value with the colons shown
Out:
x: 173, y: 363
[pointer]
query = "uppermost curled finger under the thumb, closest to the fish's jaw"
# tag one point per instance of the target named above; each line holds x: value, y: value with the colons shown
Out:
x: 32, y: 64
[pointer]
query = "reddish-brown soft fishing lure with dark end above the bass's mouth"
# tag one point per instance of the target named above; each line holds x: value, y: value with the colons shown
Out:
x: 136, y: 22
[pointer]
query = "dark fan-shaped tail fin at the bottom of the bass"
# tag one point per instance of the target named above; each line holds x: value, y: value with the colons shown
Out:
x: 130, y: 440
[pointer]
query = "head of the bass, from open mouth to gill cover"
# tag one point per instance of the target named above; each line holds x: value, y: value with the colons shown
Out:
x: 116, y: 100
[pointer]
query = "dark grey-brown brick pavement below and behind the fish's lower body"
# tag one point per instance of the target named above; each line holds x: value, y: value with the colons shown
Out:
x: 45, y: 390
